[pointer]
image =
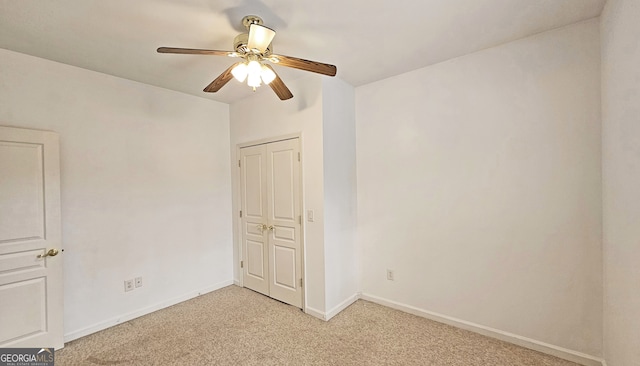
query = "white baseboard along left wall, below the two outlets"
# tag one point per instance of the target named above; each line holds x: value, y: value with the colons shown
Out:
x: 144, y: 311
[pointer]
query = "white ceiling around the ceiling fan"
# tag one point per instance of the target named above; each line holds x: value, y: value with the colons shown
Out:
x: 367, y: 40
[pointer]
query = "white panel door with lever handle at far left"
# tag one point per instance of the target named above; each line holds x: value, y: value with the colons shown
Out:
x: 31, y: 295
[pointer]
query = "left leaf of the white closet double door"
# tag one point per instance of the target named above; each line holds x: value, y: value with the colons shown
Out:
x: 253, y: 171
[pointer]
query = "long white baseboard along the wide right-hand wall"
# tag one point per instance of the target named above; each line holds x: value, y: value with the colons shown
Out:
x: 533, y: 344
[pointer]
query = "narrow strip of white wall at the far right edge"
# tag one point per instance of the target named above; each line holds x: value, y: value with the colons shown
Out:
x: 621, y: 177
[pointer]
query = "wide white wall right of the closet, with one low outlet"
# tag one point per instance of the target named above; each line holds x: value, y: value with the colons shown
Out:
x: 479, y: 183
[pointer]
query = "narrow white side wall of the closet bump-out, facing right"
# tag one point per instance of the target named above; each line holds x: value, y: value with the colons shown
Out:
x: 339, y: 145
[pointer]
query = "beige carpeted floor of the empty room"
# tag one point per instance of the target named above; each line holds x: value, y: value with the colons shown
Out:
x: 236, y: 326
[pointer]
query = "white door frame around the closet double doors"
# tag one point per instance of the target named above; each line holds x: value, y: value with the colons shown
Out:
x: 236, y: 216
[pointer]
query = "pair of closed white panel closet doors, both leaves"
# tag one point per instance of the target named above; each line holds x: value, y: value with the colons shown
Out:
x: 271, y: 243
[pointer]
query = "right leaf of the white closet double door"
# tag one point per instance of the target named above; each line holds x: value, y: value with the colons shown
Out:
x: 285, y: 259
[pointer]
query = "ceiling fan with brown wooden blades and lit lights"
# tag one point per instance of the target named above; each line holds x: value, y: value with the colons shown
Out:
x: 254, y: 48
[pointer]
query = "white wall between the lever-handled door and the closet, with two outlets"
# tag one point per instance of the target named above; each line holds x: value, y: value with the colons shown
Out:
x: 145, y: 185
